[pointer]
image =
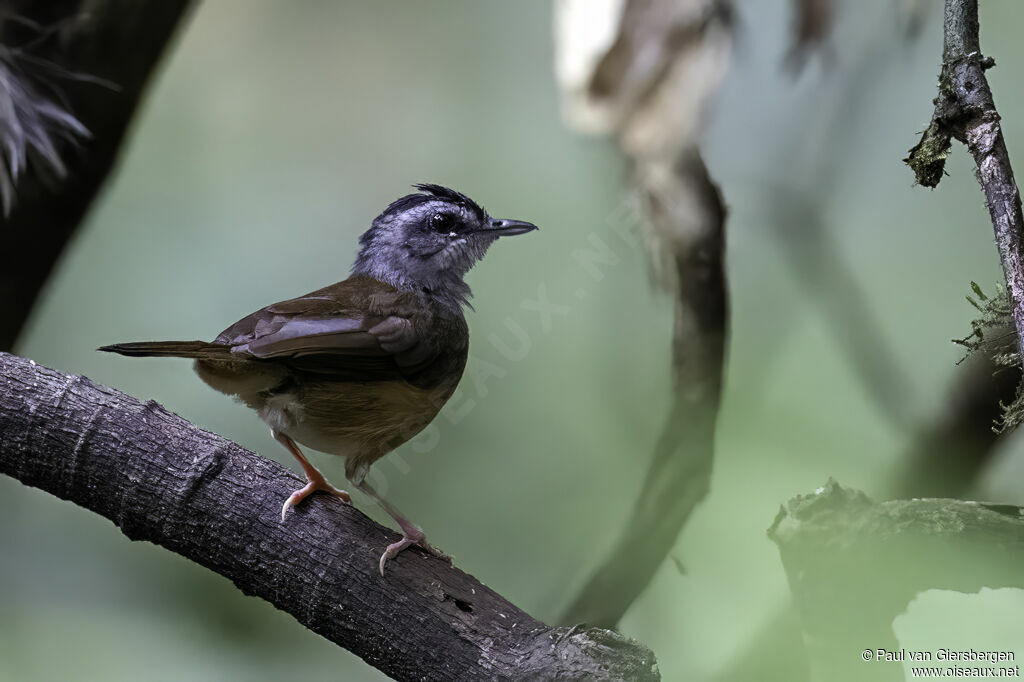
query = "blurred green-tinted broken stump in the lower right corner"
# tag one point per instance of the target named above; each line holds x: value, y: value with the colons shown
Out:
x: 855, y: 566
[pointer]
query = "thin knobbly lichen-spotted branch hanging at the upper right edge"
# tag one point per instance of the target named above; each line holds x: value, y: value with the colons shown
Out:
x: 965, y: 110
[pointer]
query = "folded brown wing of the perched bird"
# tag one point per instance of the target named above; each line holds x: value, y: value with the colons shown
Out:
x: 357, y: 330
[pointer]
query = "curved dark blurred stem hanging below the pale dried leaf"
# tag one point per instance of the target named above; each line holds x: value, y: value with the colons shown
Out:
x: 679, y: 475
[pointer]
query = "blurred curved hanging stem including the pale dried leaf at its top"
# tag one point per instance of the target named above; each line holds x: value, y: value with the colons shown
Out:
x: 650, y: 89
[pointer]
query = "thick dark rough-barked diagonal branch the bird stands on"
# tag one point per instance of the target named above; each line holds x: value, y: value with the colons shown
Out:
x: 162, y: 480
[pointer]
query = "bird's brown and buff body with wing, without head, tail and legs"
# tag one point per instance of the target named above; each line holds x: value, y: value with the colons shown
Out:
x: 359, y: 365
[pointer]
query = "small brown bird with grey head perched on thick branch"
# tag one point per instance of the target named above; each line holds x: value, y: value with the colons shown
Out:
x: 360, y: 367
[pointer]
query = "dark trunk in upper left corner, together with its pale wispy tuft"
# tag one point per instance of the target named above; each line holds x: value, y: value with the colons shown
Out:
x: 72, y: 76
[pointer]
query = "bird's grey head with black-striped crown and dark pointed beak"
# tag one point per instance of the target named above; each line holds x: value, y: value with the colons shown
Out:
x: 429, y: 241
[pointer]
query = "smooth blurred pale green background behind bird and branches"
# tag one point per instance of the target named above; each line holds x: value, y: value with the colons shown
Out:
x: 277, y: 132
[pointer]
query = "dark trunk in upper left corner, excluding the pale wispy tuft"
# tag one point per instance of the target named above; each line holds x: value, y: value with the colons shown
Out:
x: 116, y: 46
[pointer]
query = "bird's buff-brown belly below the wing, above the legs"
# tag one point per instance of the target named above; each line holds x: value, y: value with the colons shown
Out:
x: 354, y: 419
